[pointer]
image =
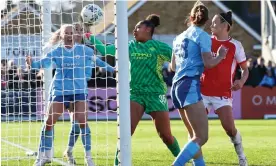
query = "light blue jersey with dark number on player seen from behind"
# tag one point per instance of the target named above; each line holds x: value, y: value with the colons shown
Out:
x: 187, y: 48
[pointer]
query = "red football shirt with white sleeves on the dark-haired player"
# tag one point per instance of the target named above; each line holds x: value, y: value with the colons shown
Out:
x: 218, y: 80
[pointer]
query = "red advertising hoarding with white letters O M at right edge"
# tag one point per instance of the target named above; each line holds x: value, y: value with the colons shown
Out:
x: 258, y: 102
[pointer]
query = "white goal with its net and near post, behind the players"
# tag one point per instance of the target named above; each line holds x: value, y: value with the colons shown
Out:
x: 26, y: 27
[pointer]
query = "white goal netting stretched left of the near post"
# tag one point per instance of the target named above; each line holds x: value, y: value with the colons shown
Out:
x: 23, y: 100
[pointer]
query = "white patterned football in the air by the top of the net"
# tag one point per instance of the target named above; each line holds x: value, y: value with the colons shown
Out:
x: 92, y: 14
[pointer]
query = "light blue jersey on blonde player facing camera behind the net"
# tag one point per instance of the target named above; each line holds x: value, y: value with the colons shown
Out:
x: 73, y: 68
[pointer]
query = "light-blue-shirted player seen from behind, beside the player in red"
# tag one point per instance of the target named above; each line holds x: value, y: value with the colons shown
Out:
x: 191, y: 53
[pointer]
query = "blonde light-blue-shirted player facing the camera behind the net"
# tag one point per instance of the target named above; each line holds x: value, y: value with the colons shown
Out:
x: 74, y: 63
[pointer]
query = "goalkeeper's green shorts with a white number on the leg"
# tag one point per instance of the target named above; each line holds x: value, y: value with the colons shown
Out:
x: 151, y: 102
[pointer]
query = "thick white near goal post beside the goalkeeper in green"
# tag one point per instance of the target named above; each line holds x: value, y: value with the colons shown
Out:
x: 123, y: 90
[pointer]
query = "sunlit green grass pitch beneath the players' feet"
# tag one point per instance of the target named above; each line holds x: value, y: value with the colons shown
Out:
x: 259, y: 140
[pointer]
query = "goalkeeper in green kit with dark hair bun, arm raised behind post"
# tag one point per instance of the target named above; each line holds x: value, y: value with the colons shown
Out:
x: 147, y: 88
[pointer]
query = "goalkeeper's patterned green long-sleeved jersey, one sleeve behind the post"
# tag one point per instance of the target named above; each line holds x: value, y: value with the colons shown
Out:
x: 146, y: 61
